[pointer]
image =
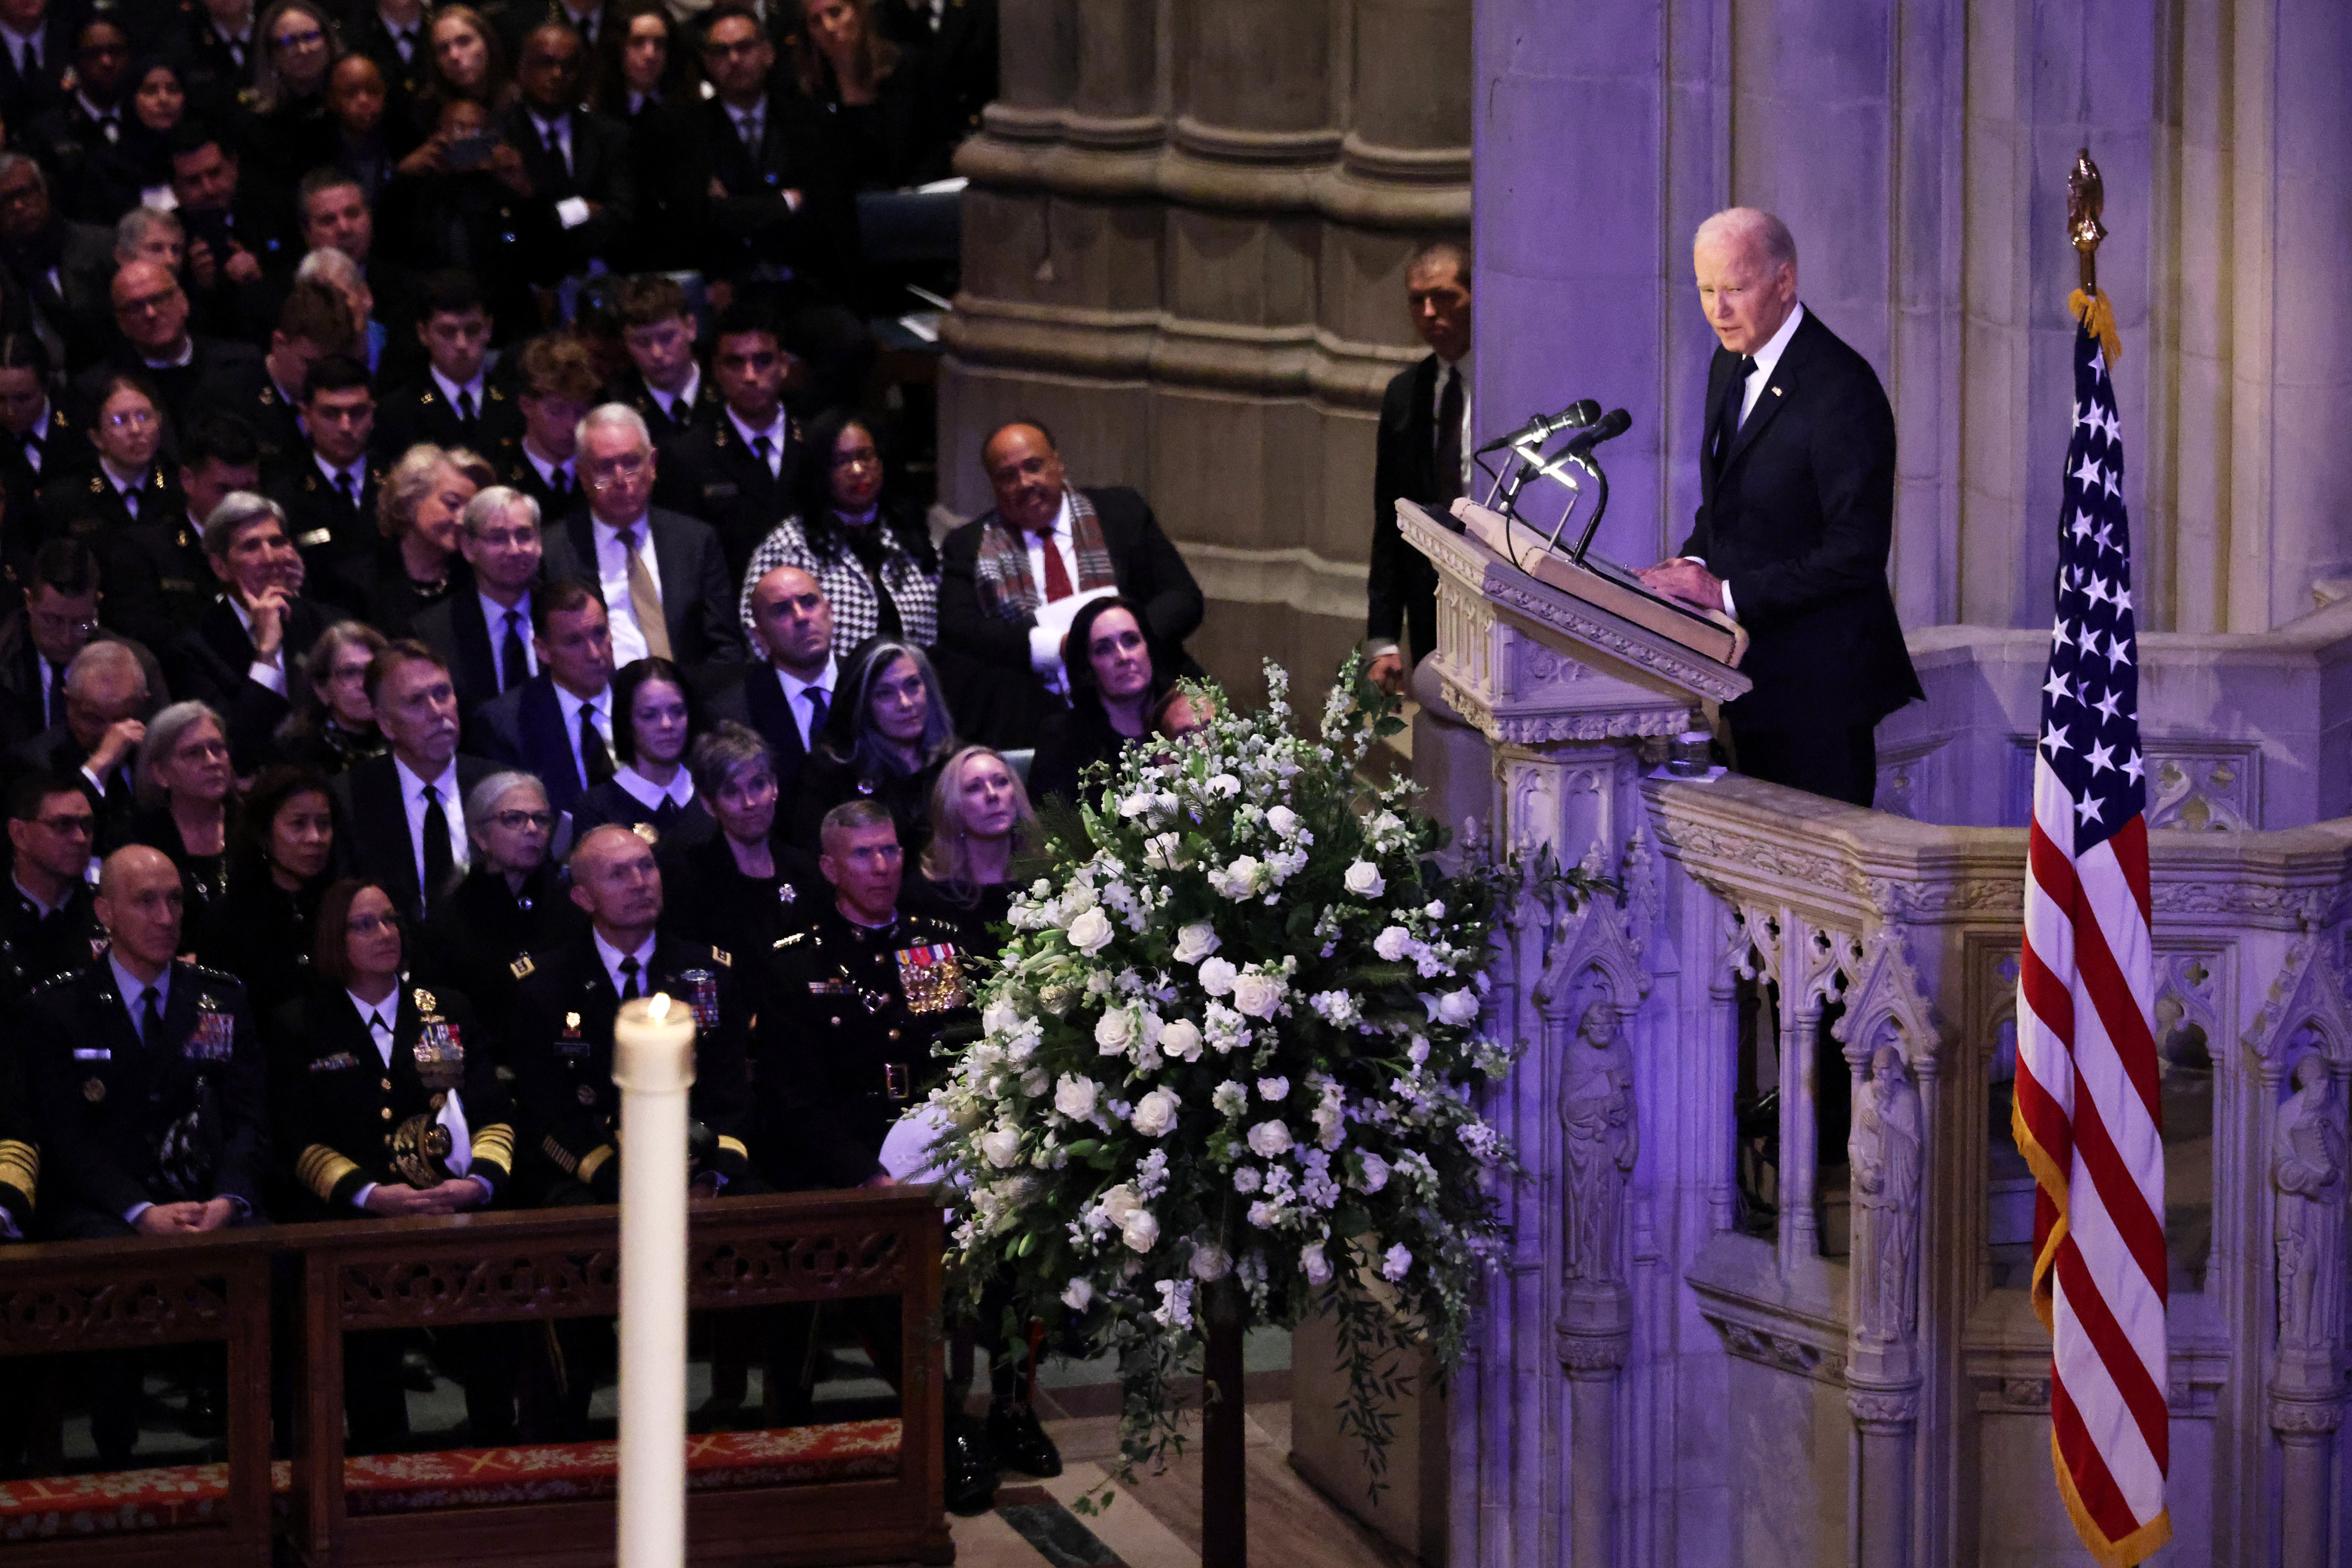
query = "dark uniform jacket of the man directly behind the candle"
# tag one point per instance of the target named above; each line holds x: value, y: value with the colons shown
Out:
x: 556, y: 1061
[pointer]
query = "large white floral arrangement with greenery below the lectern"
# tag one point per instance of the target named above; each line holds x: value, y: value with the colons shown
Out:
x: 1231, y: 1059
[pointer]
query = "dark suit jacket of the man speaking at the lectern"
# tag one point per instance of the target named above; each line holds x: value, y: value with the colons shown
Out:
x: 1798, y: 518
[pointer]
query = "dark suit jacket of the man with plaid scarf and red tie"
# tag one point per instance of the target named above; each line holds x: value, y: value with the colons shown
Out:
x: 998, y: 699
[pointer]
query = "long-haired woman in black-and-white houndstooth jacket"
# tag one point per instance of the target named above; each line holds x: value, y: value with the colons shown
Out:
x: 867, y: 549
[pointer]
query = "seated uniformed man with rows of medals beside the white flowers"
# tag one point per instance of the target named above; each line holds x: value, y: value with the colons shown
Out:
x: 846, y: 1045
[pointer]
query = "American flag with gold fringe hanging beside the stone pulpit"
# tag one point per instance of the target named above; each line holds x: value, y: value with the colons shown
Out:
x: 2087, y: 1113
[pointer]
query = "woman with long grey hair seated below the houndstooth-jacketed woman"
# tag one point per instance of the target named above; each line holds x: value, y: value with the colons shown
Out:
x: 888, y: 739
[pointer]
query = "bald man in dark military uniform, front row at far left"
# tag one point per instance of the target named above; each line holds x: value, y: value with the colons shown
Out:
x: 147, y: 1085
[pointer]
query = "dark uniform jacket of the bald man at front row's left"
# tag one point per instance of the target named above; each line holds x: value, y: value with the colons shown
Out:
x: 107, y: 1101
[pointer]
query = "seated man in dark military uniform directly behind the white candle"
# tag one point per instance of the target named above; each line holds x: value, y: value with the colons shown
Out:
x: 561, y: 1036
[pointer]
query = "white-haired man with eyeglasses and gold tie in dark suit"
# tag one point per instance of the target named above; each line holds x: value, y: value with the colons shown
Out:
x: 662, y: 575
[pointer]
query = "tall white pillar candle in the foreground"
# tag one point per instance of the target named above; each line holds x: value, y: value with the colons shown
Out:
x: 653, y: 1064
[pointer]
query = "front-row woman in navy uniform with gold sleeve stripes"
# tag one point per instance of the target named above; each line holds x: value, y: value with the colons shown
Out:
x: 392, y: 1106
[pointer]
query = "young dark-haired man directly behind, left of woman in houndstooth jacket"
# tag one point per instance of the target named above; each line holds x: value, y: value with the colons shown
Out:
x: 737, y: 471
